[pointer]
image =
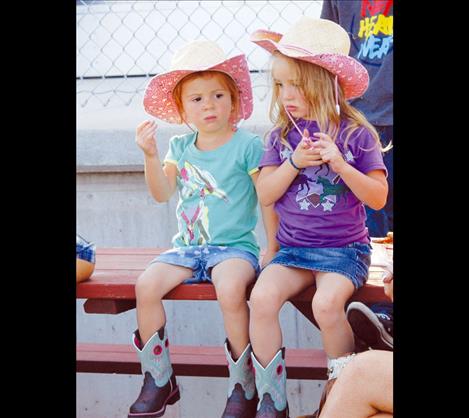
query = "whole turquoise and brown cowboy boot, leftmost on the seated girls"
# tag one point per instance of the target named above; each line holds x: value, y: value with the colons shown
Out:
x: 159, y: 386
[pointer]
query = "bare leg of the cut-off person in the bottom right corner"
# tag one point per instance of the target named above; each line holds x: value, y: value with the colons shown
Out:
x: 364, y: 388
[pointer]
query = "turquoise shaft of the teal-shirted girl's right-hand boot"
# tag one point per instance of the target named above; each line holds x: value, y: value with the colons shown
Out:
x: 241, y: 372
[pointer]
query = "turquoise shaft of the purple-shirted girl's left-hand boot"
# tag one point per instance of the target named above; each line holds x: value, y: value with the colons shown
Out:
x: 272, y: 380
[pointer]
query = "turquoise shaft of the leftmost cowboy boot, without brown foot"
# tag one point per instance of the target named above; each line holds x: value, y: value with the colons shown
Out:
x: 154, y: 358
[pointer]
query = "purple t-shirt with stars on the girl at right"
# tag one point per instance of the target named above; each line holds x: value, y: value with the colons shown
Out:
x: 318, y: 209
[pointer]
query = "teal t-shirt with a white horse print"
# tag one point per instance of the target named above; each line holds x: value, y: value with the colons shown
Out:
x: 217, y: 198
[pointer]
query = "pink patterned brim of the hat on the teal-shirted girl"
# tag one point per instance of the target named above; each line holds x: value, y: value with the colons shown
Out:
x: 159, y: 102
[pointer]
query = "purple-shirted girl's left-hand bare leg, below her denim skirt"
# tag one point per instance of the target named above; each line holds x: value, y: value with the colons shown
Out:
x: 274, y: 287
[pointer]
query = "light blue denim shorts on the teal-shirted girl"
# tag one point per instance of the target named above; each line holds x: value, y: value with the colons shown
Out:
x: 202, y: 258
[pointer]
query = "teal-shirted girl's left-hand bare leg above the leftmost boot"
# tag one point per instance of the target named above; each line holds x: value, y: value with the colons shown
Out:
x: 152, y: 285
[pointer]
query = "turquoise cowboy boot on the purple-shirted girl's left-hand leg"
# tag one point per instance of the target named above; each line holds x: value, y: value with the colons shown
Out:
x: 271, y: 385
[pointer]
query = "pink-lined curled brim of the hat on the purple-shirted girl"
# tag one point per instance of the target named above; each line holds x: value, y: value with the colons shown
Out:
x: 352, y: 75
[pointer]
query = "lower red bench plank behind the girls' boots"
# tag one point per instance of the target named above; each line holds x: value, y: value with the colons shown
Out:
x: 191, y: 361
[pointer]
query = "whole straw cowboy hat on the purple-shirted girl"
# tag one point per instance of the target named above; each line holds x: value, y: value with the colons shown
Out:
x: 321, y: 42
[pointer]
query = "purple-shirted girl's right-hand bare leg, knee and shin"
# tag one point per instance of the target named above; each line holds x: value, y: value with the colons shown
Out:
x: 333, y: 291
